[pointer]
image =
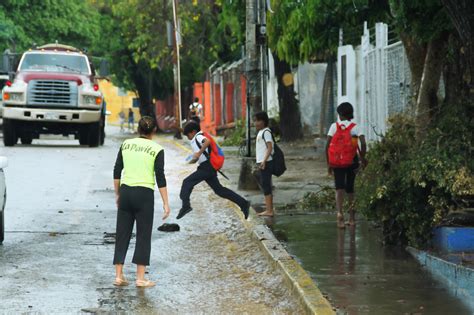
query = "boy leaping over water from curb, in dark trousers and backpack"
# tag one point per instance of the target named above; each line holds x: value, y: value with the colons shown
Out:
x: 201, y: 145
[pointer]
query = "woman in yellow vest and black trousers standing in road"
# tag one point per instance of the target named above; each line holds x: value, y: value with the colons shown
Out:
x: 139, y: 162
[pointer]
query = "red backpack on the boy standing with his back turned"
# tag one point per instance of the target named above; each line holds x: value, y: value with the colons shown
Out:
x: 342, y: 150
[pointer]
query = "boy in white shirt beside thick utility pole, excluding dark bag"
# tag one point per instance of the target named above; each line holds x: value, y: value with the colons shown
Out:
x: 265, y: 147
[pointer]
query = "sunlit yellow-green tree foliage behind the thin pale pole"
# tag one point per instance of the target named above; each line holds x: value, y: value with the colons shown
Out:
x: 134, y: 38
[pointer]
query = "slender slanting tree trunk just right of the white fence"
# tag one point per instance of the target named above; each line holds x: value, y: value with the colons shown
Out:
x: 427, y: 101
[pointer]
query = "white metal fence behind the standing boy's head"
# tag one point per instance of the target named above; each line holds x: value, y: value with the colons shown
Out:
x: 381, y: 81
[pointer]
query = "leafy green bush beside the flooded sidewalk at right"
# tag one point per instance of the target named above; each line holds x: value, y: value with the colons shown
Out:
x: 410, y: 185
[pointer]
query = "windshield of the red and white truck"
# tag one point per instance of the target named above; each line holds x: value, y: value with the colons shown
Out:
x: 54, y: 63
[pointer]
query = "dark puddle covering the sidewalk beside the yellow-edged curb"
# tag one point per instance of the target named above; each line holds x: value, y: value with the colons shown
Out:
x: 358, y: 274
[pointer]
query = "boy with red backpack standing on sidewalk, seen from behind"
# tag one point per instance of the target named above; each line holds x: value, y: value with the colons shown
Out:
x: 344, y: 158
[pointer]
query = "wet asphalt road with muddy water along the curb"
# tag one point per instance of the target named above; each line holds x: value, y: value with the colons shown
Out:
x: 56, y: 257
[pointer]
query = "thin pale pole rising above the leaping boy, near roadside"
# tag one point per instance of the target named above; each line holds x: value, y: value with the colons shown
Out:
x: 177, y: 67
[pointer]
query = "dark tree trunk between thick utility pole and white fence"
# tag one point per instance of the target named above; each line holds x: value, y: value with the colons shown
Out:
x: 290, y: 119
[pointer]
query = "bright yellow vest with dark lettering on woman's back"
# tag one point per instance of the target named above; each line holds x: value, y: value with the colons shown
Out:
x: 139, y: 156
